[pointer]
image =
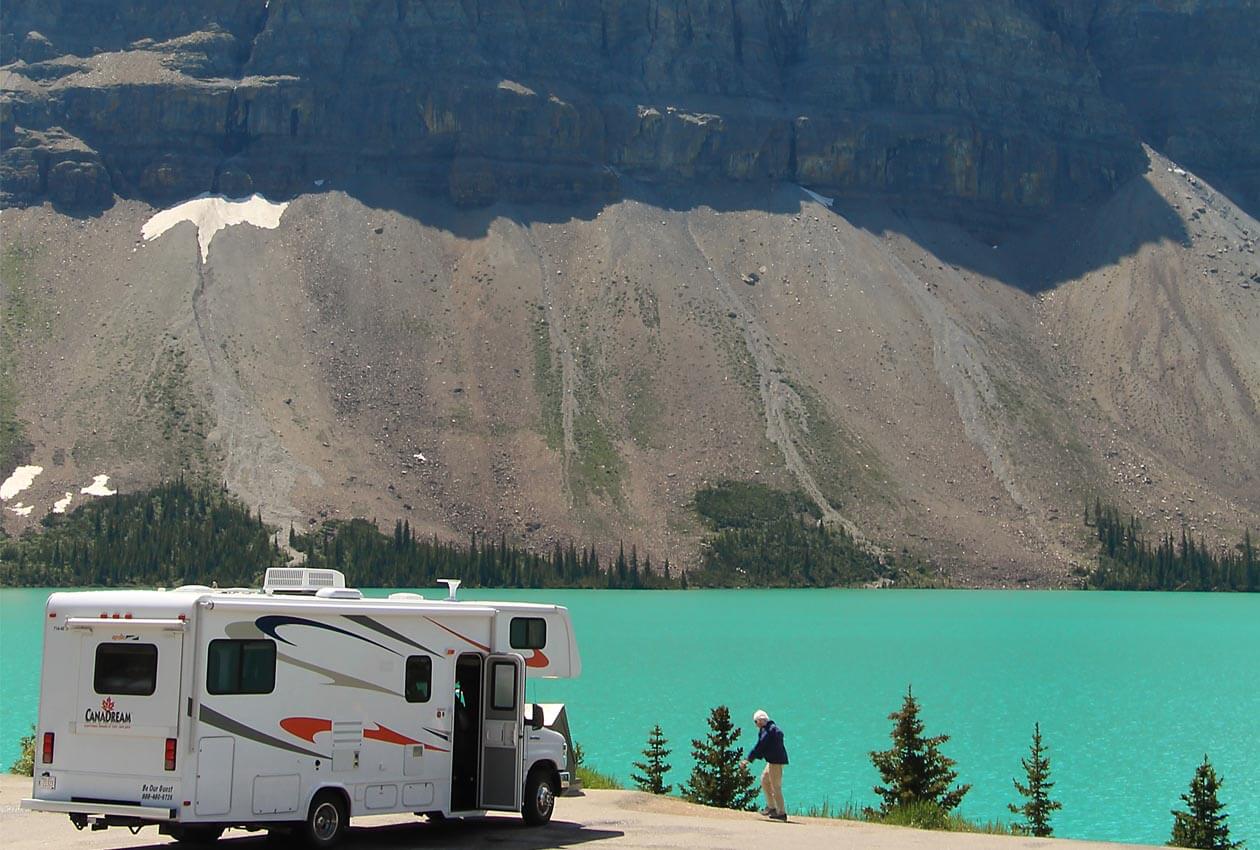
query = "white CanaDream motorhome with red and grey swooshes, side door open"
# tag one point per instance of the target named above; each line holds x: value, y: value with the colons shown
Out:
x: 295, y: 708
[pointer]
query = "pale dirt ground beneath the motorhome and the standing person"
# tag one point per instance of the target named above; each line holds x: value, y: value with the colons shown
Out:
x: 613, y: 819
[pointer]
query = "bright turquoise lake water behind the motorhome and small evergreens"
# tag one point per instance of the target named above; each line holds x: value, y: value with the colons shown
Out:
x: 1131, y: 689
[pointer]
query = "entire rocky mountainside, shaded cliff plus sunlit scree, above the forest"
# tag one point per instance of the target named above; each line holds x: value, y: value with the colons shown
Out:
x: 629, y: 299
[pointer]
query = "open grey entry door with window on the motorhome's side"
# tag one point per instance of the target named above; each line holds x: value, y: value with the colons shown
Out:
x: 502, y: 732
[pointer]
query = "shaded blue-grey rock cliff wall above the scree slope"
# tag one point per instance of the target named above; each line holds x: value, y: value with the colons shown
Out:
x: 992, y: 111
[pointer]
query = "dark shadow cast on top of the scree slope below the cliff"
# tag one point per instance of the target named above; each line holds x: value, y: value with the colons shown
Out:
x: 1033, y: 255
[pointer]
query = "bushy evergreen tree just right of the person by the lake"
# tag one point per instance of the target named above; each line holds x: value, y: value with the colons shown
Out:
x: 915, y: 770
